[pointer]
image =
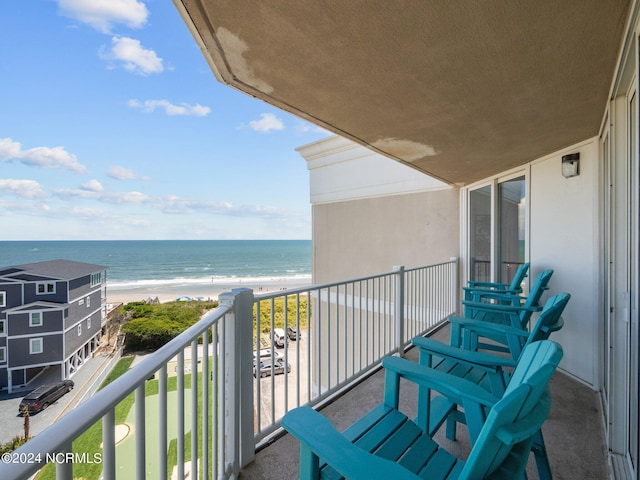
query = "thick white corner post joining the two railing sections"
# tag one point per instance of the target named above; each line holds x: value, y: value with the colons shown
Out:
x: 238, y: 384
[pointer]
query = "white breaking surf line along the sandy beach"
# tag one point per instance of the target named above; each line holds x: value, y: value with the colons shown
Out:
x: 210, y: 280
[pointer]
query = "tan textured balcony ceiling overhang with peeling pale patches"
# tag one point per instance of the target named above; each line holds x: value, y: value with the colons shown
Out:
x: 459, y: 90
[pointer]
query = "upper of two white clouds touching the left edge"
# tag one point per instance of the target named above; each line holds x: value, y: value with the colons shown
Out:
x: 45, y: 157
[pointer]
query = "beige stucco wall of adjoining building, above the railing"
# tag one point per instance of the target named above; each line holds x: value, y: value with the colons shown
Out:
x: 369, y: 236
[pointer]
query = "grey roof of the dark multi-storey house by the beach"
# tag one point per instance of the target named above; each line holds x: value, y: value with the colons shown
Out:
x: 49, y: 270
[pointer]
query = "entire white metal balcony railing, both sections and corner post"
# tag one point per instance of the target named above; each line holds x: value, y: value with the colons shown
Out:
x: 212, y: 402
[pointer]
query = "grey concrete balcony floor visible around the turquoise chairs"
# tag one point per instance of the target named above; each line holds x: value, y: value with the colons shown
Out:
x: 573, y: 432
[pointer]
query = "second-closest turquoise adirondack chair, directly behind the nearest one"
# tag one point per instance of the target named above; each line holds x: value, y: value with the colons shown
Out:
x: 491, y: 372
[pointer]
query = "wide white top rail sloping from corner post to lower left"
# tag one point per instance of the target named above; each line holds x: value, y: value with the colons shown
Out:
x: 69, y: 427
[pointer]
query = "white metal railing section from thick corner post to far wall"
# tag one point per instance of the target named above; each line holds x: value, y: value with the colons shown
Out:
x: 346, y: 329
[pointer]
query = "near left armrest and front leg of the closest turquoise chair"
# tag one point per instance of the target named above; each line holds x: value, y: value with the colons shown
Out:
x: 319, y: 438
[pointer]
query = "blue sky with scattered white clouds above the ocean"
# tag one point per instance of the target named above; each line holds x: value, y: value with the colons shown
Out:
x: 112, y: 126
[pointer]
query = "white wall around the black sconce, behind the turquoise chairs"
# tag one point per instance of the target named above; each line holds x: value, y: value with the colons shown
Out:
x: 564, y: 237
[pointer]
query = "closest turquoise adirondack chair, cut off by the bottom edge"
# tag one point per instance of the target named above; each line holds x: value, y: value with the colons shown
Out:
x: 386, y: 444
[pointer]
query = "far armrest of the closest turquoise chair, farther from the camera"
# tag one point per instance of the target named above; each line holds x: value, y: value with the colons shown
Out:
x: 456, y: 389
